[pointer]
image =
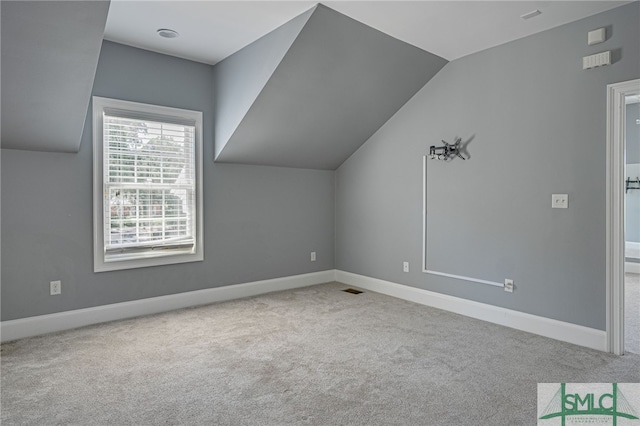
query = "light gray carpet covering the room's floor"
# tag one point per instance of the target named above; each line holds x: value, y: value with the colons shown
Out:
x: 312, y: 356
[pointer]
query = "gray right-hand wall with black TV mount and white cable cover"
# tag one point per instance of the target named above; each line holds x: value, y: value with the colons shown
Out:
x: 537, y: 125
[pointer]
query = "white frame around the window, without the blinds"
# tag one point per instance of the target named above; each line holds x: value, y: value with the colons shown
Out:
x: 109, y: 262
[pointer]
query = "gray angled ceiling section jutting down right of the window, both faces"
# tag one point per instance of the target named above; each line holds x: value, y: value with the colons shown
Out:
x: 337, y: 83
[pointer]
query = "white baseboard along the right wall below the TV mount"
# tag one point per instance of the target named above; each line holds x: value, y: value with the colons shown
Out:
x: 559, y: 330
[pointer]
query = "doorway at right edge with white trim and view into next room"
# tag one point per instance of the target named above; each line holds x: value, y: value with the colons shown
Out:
x: 623, y: 220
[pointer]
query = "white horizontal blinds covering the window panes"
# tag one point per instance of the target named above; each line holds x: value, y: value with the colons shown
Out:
x: 149, y: 185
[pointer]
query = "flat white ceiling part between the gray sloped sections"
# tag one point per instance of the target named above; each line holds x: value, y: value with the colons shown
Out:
x: 212, y: 30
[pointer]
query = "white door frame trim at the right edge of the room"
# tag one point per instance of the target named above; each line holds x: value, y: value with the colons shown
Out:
x: 616, y: 94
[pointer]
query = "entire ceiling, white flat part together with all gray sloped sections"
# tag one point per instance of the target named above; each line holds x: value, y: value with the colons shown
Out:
x: 323, y: 78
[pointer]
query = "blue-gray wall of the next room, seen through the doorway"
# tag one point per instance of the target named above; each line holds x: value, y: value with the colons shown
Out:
x: 632, y: 156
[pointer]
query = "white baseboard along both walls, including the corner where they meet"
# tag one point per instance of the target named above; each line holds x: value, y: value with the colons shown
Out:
x: 43, y: 324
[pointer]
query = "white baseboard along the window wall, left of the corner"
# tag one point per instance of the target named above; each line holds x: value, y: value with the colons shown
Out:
x: 42, y: 324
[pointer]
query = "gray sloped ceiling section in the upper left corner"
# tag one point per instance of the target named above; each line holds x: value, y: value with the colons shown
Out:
x: 50, y: 53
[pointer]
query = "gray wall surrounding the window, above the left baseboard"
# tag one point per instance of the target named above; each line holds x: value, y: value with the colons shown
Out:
x: 260, y: 222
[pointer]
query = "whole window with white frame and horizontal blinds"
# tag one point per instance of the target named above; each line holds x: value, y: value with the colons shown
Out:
x: 147, y: 185
